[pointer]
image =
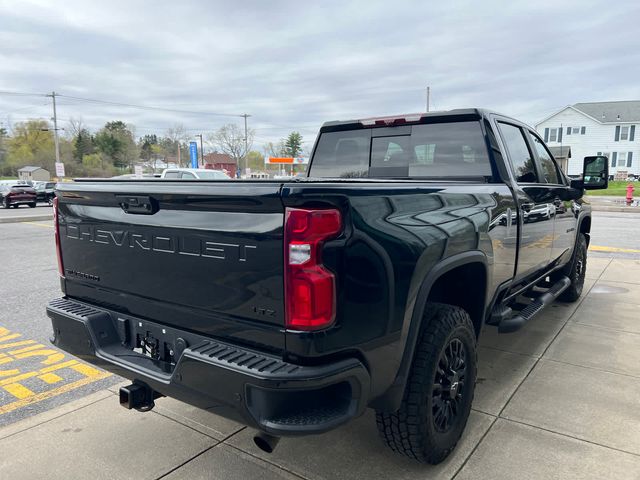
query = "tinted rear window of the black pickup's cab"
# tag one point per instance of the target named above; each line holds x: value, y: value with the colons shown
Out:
x: 453, y: 149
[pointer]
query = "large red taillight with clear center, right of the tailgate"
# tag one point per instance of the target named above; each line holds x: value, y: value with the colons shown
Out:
x: 310, y: 288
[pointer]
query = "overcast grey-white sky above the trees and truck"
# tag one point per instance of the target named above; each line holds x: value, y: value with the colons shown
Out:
x: 291, y: 65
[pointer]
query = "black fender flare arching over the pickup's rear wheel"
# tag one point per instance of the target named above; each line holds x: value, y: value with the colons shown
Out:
x: 411, y: 328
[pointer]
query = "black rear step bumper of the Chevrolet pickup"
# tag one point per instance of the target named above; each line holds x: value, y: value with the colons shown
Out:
x: 257, y: 389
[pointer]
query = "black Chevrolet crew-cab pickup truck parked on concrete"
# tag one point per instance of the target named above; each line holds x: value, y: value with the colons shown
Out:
x: 292, y: 306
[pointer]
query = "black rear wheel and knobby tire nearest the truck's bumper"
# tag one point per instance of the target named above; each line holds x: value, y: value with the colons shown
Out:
x: 439, y: 390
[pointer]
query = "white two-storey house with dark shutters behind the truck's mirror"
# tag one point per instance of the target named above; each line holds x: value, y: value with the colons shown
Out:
x: 598, y: 128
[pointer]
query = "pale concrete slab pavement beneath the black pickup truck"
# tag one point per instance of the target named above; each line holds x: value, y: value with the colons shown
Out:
x: 558, y: 399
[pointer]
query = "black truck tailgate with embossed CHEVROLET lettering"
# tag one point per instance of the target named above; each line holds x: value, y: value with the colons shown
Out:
x: 206, y: 257
